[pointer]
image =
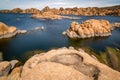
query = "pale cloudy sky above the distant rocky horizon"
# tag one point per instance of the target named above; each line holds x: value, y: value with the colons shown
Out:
x: 10, y: 4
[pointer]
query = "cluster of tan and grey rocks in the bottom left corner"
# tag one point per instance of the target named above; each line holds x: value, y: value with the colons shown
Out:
x: 5, y: 70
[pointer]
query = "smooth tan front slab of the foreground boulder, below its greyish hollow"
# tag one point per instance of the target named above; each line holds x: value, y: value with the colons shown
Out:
x: 54, y: 71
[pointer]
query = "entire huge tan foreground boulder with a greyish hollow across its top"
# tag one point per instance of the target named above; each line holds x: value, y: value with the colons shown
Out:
x: 66, y: 64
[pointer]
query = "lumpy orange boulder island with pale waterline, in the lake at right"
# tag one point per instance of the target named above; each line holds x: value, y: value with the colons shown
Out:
x: 89, y: 28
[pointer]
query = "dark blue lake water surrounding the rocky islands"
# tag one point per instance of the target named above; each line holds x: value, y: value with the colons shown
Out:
x: 51, y: 37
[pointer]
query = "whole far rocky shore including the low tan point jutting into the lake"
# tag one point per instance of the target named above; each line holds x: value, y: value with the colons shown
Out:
x: 53, y: 13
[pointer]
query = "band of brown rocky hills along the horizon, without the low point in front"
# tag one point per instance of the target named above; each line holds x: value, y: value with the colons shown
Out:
x: 90, y: 11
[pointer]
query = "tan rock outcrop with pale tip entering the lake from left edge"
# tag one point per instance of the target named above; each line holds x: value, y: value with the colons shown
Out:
x: 9, y: 31
